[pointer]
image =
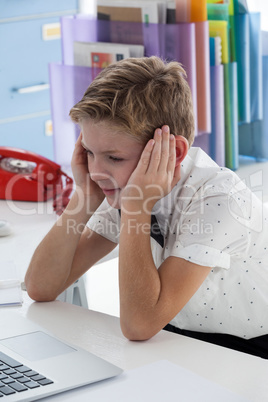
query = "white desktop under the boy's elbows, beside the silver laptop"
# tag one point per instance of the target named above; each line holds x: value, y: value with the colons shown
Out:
x: 100, y: 334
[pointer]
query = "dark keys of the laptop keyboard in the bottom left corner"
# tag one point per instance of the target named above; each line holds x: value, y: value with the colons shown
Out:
x: 15, y: 377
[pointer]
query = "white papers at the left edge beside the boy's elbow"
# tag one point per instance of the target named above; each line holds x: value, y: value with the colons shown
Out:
x: 10, y: 286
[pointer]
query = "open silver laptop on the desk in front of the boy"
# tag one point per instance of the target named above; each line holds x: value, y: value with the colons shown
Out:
x: 35, y: 364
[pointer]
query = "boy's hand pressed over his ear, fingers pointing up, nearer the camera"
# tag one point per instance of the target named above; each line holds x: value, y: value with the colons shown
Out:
x: 155, y: 175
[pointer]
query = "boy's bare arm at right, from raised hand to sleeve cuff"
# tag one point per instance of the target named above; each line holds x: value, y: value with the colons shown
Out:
x: 150, y: 298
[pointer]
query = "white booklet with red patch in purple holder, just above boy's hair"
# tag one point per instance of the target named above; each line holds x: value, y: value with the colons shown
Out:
x: 102, y: 54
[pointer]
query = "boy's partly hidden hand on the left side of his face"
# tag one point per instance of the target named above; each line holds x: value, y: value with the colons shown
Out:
x: 82, y: 176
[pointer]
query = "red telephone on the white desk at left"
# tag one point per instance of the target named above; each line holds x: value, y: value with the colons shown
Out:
x: 25, y: 176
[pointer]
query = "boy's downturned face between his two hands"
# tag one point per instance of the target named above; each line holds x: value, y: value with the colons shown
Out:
x: 112, y: 157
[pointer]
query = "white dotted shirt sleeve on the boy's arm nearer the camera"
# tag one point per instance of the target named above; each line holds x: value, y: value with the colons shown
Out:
x: 214, y: 229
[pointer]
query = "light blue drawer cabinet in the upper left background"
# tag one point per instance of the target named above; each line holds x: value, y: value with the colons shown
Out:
x: 29, y: 41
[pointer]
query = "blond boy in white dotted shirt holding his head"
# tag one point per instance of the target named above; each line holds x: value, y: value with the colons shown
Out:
x: 192, y: 238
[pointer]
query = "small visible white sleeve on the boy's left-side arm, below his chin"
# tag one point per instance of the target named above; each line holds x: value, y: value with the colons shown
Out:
x: 106, y: 222
